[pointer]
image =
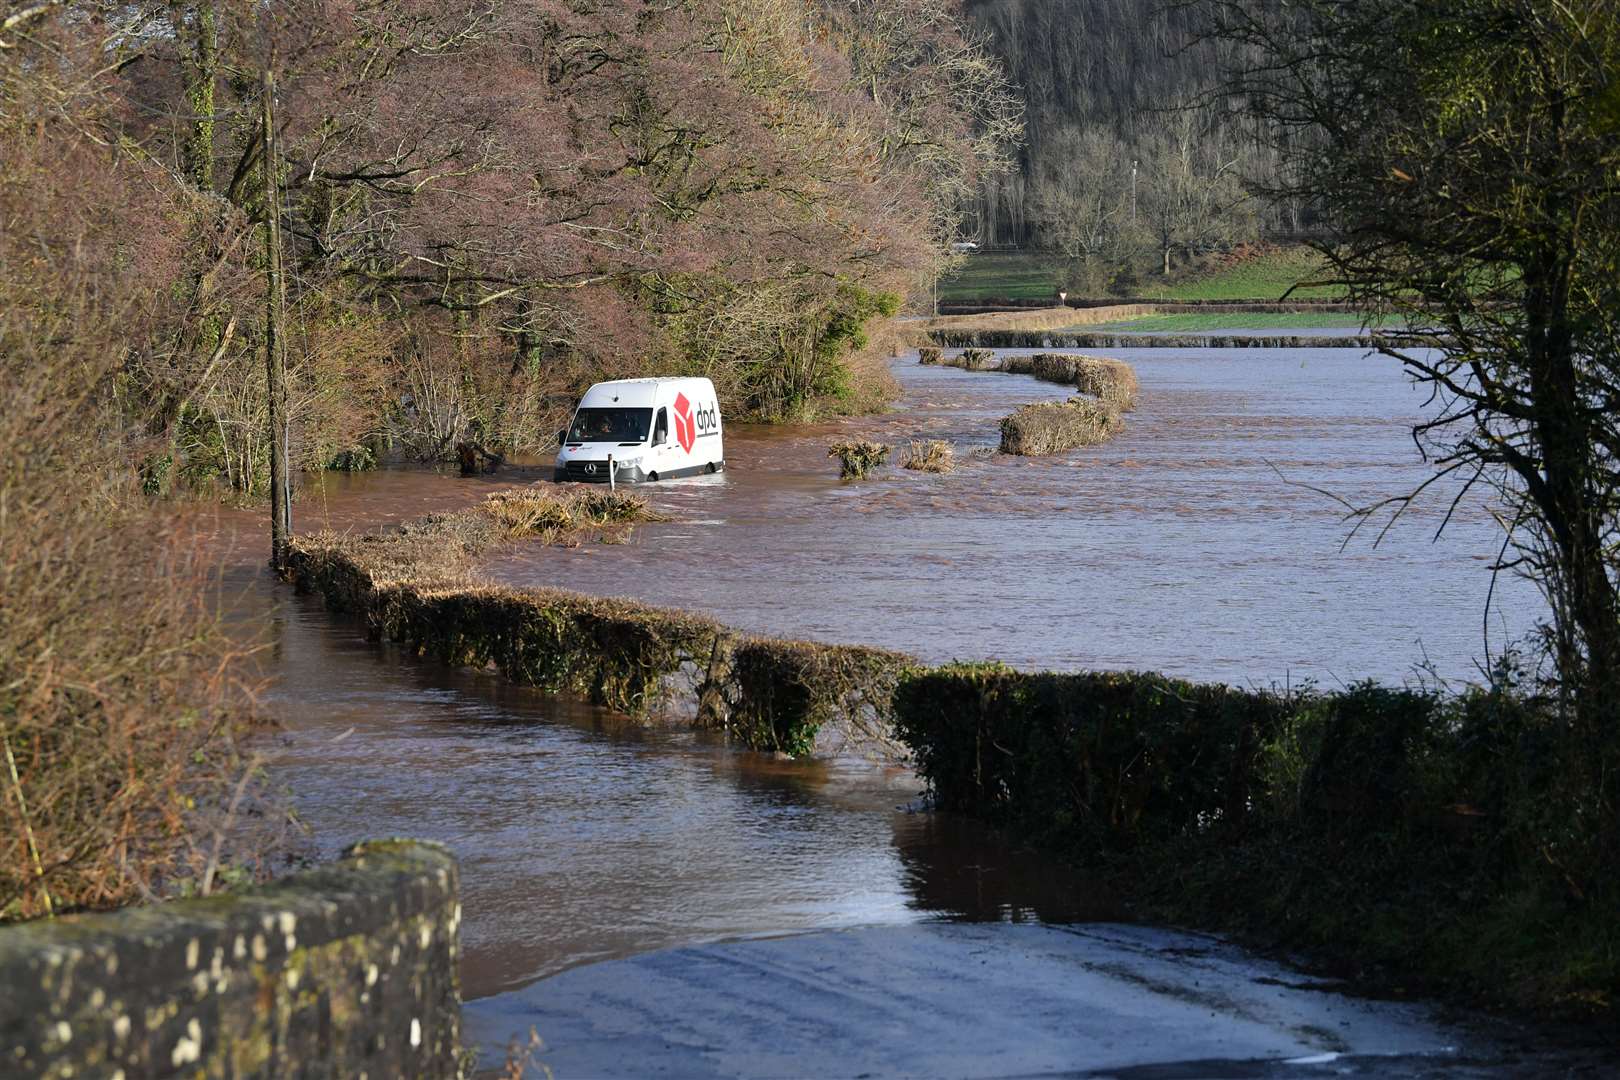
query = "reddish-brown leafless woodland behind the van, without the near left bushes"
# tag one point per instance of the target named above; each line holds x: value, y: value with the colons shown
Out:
x: 484, y: 206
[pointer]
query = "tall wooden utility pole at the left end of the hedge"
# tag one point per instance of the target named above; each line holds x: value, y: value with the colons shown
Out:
x: 275, y: 336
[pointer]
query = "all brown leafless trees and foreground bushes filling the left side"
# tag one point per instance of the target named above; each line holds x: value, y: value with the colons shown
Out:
x: 484, y: 208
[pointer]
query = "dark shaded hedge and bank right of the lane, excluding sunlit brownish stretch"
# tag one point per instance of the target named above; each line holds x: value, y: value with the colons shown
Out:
x: 1422, y: 840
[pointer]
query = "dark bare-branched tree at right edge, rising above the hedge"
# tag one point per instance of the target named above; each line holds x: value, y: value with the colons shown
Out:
x: 1465, y: 155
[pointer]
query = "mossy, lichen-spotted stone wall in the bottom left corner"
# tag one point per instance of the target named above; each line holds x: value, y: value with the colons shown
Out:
x: 349, y: 971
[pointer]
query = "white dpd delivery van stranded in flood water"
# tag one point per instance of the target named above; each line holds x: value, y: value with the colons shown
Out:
x: 642, y: 430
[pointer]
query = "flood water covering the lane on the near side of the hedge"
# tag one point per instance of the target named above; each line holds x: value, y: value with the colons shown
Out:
x: 584, y: 836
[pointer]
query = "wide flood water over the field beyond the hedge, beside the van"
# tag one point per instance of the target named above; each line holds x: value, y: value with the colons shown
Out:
x: 1193, y: 545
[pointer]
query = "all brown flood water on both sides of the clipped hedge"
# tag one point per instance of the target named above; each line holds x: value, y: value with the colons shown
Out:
x: 584, y: 838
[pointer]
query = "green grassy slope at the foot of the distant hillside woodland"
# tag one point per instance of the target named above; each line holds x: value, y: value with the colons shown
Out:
x: 1036, y: 276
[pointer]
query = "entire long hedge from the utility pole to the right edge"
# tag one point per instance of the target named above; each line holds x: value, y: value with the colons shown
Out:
x: 1449, y: 841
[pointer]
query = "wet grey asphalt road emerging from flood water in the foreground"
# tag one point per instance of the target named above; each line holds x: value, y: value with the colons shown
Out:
x: 979, y: 1001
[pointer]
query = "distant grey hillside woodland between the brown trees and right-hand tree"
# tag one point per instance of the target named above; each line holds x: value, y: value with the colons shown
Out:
x: 1132, y: 156
